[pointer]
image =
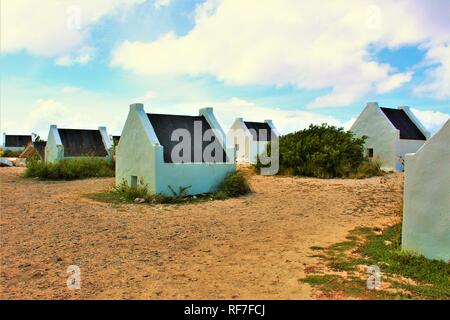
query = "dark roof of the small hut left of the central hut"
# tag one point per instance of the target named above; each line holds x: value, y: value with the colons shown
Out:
x: 82, y: 143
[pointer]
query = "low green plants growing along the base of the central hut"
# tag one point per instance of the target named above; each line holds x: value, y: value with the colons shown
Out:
x: 234, y: 184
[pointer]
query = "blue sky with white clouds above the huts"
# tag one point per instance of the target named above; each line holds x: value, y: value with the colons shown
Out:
x: 80, y: 64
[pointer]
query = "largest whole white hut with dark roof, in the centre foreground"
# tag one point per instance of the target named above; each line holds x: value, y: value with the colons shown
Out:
x: 149, y: 143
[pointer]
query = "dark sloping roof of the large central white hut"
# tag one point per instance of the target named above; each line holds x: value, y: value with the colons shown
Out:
x: 165, y: 124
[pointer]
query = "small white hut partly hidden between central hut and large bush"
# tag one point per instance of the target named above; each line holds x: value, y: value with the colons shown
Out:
x: 250, y: 139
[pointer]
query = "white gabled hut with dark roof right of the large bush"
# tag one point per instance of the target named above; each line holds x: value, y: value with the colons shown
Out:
x: 391, y: 133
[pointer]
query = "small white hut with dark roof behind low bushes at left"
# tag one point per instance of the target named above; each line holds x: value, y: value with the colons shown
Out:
x: 75, y: 143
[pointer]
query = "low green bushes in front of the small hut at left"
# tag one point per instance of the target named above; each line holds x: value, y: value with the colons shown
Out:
x: 70, y: 169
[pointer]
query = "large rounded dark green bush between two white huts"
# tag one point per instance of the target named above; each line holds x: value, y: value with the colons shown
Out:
x: 321, y: 151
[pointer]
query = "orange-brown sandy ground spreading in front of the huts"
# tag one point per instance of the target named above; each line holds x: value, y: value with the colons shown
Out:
x: 253, y: 247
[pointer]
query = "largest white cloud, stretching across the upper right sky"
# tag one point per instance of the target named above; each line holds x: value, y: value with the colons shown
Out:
x: 310, y: 45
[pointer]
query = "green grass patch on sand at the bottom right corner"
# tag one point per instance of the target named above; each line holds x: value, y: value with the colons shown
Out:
x: 411, y: 276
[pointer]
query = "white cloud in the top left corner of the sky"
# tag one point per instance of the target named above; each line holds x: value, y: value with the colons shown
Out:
x: 51, y: 27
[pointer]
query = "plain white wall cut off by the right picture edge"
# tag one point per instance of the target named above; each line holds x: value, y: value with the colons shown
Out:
x: 426, y: 207
